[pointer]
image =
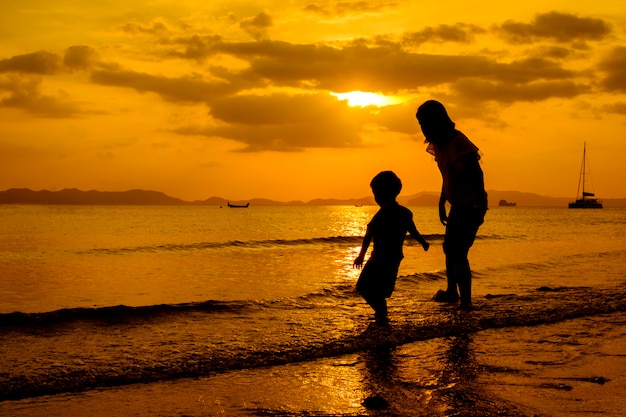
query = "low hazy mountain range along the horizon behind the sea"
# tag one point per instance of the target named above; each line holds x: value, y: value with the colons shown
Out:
x: 146, y: 197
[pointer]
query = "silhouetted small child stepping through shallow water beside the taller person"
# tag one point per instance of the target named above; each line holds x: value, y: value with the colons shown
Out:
x: 387, y: 229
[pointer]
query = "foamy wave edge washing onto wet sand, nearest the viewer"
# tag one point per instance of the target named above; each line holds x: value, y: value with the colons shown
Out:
x: 536, y: 308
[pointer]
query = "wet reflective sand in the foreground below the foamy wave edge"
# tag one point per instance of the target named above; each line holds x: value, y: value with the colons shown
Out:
x: 574, y: 367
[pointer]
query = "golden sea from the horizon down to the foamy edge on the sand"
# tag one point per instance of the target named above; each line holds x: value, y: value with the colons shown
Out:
x: 105, y: 296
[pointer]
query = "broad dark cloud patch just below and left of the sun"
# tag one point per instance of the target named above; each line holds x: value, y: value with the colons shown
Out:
x: 285, y: 123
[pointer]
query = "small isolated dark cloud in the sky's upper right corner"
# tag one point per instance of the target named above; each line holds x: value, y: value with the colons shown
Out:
x: 555, y: 26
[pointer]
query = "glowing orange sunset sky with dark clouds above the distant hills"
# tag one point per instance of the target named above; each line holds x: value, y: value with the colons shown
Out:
x: 233, y: 98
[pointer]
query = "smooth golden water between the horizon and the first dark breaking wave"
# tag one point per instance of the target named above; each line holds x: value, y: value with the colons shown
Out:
x: 55, y: 257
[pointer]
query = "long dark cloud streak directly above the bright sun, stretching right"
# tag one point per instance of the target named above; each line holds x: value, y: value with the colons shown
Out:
x: 387, y: 69
